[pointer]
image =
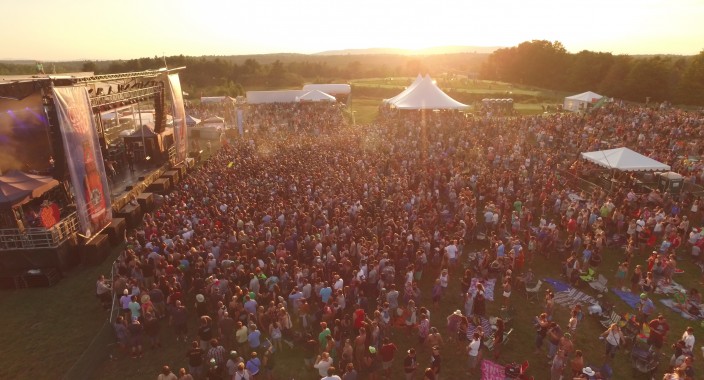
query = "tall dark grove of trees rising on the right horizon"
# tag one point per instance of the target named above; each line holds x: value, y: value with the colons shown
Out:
x: 545, y: 64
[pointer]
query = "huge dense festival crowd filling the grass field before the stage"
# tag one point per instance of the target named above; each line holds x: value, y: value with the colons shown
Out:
x: 324, y: 240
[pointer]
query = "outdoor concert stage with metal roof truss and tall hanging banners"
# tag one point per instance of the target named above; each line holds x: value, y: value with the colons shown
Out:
x: 102, y: 140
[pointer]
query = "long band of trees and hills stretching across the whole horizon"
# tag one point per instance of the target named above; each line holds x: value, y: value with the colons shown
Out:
x: 538, y: 63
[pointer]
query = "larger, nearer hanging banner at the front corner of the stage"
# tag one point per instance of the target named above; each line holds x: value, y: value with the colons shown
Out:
x: 85, y: 160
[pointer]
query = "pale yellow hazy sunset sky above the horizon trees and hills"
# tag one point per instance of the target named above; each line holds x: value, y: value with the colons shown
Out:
x: 100, y: 30
